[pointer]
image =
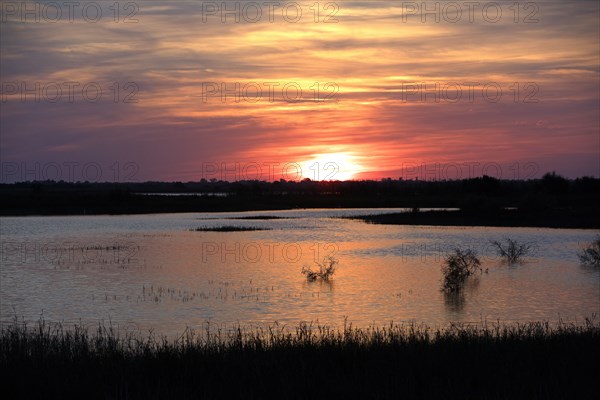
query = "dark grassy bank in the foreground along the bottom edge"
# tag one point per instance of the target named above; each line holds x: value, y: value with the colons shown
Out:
x: 531, y: 361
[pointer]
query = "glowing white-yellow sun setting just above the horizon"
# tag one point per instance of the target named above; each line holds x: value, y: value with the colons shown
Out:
x: 331, y: 167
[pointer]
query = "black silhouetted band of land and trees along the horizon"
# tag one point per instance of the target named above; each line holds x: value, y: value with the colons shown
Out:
x: 551, y: 193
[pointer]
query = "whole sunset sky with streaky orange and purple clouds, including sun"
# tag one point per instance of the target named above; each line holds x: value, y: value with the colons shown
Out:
x: 185, y: 90
